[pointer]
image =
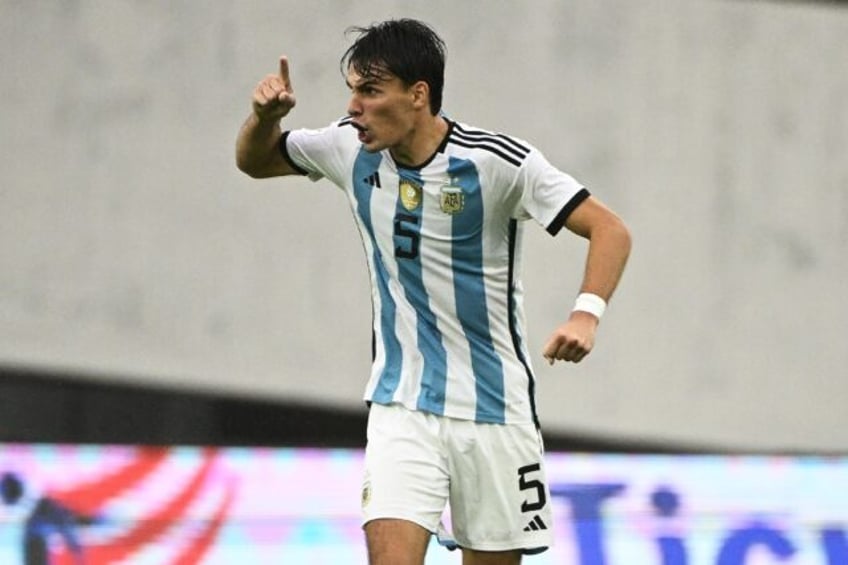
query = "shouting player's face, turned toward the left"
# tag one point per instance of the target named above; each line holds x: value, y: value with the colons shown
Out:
x: 383, y: 110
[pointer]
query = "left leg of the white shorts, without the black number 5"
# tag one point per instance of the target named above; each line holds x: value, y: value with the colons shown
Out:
x: 406, y: 475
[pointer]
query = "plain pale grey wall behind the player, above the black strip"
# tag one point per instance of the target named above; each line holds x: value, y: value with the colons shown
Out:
x: 130, y: 245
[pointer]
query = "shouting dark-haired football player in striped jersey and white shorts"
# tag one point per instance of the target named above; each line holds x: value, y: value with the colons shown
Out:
x: 439, y: 205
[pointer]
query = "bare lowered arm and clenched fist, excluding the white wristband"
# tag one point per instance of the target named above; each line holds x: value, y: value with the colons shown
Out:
x: 609, y: 247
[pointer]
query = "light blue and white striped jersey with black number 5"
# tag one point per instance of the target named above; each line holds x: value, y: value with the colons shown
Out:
x: 443, y: 244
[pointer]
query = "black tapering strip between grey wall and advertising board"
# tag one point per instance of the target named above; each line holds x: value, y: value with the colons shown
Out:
x: 38, y: 406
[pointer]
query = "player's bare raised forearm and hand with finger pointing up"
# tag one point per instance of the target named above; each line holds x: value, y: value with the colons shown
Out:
x: 257, y: 151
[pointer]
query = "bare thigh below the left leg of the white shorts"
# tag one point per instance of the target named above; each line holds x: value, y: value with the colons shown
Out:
x: 396, y: 542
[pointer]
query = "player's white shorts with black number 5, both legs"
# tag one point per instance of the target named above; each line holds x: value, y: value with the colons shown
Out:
x: 492, y: 475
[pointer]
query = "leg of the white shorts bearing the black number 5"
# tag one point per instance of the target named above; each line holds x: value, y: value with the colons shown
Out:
x: 499, y: 494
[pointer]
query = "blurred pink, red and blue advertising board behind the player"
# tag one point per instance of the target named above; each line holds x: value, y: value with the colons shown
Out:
x: 95, y: 504
